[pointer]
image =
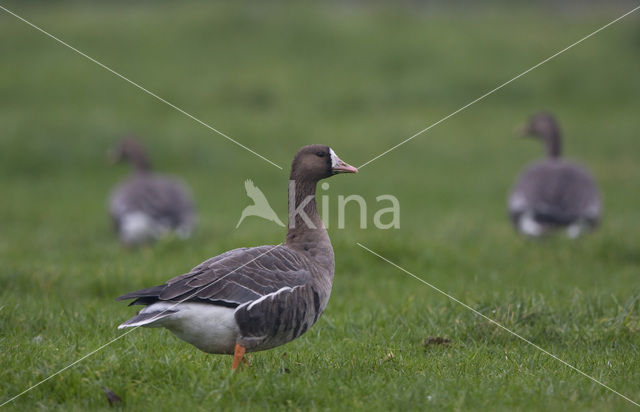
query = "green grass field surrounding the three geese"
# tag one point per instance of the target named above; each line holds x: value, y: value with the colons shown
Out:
x: 276, y: 77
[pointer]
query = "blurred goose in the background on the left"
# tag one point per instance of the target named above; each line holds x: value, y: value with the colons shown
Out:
x: 147, y: 205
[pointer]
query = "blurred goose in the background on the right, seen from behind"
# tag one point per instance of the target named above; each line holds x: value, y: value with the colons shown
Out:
x: 553, y: 193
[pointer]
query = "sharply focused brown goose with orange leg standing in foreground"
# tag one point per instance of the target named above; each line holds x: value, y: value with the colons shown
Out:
x: 257, y: 298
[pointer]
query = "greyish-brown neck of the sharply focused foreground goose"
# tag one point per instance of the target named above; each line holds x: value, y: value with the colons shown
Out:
x: 307, y: 233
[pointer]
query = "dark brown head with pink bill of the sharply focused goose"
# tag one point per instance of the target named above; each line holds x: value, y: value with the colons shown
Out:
x: 315, y: 162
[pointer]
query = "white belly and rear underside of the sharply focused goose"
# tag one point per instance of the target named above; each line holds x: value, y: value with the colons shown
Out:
x: 210, y: 328
